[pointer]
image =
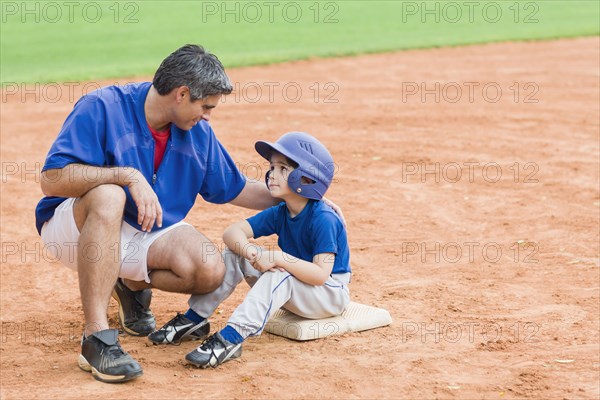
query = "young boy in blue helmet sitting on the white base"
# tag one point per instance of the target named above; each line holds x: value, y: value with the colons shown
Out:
x: 308, y: 277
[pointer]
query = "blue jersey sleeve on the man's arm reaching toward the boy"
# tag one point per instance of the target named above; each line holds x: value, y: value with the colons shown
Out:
x: 223, y: 181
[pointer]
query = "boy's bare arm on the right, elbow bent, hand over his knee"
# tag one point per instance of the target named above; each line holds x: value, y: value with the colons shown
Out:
x: 312, y: 273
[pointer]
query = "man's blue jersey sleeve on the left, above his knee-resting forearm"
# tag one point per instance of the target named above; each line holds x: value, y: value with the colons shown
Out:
x: 82, y: 137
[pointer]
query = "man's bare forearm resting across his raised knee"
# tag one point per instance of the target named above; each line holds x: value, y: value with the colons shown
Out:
x: 75, y: 180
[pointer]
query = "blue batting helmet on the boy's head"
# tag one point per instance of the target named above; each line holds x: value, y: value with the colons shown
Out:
x: 313, y: 159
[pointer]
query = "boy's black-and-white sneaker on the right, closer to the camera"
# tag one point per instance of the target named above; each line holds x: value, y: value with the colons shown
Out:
x: 213, y: 352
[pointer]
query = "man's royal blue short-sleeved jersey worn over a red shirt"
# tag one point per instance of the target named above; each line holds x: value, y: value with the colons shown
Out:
x: 108, y: 128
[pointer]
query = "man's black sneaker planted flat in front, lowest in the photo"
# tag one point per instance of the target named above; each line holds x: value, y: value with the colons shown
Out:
x: 102, y: 355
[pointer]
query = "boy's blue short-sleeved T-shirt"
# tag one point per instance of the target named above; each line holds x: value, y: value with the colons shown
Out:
x: 317, y: 229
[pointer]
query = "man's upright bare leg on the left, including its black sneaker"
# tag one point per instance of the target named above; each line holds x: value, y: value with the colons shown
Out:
x: 98, y: 216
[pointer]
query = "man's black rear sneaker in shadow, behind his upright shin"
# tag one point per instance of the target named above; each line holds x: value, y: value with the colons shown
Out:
x: 134, y: 309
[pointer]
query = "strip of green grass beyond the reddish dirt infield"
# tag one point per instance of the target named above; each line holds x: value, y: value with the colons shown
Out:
x: 134, y: 41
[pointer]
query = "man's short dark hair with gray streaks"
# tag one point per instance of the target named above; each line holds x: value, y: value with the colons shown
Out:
x: 192, y: 66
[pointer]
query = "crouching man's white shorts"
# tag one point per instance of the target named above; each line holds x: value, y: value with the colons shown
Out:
x: 60, y: 236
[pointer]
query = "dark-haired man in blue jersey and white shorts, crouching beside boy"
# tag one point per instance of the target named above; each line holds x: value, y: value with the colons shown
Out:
x: 122, y: 174
